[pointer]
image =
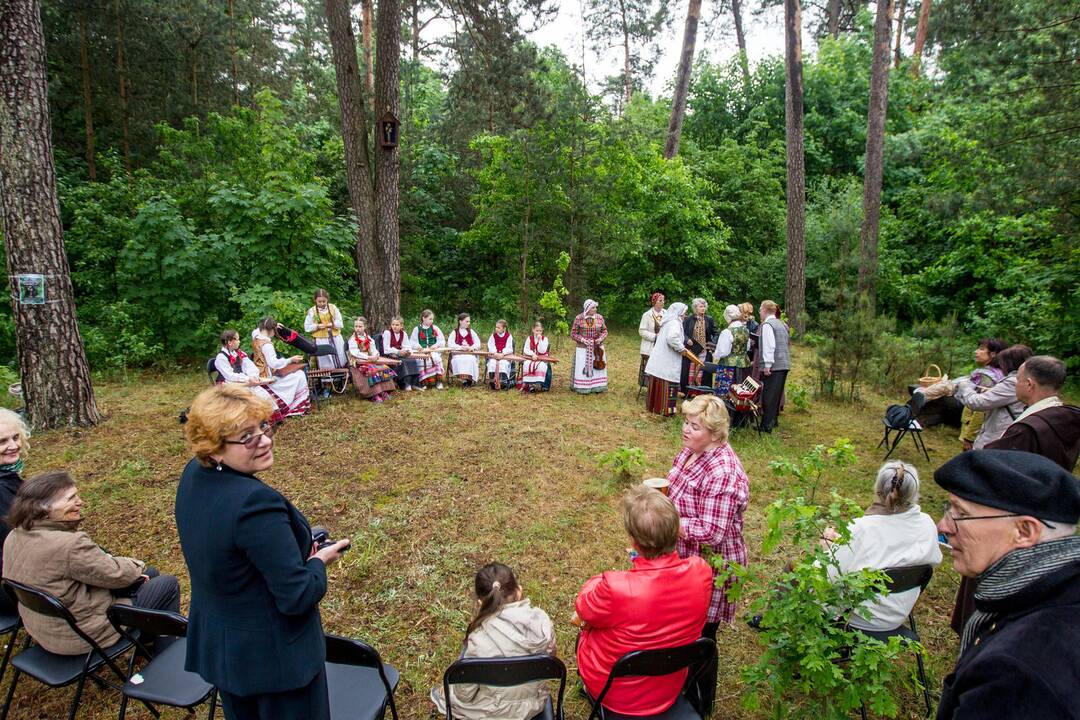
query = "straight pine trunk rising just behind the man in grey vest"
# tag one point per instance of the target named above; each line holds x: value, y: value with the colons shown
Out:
x: 795, y: 296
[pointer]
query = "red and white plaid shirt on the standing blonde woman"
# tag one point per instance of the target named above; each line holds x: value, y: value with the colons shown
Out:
x: 711, y: 494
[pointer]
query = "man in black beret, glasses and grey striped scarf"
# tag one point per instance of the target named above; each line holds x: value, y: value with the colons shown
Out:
x: 1012, y: 522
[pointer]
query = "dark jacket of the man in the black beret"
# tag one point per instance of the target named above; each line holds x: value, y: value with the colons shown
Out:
x: 1027, y: 665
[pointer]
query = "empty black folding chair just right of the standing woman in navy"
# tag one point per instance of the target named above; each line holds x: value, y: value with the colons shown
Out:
x: 361, y: 685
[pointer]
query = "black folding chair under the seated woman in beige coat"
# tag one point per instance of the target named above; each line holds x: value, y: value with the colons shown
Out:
x: 62, y: 671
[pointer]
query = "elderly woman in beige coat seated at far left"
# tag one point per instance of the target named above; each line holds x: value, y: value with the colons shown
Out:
x: 47, y: 551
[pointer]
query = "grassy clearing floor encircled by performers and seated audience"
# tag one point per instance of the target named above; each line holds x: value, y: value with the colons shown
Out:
x: 433, y: 485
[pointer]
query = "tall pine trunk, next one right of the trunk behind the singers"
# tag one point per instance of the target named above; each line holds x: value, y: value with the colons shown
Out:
x: 875, y: 154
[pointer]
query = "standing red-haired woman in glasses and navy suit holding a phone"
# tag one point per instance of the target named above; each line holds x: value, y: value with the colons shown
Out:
x: 256, y: 576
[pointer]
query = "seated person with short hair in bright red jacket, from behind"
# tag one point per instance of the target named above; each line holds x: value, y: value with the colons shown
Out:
x: 660, y: 603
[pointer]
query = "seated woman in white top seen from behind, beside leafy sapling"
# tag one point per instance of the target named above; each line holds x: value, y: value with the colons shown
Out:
x: 894, y: 534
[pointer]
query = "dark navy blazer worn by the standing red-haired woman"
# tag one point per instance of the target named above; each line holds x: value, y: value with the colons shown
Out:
x: 254, y: 627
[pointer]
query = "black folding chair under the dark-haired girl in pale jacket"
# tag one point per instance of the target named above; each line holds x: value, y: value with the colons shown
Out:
x: 506, y: 673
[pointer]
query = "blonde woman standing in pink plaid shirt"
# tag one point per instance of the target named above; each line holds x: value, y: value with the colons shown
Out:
x: 710, y: 490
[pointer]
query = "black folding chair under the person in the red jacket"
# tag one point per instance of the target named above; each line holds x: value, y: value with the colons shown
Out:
x: 654, y: 663
